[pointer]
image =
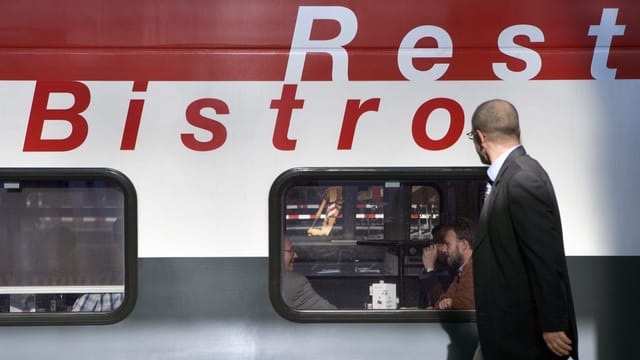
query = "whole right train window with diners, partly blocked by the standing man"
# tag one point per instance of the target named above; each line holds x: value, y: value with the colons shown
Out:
x: 346, y: 244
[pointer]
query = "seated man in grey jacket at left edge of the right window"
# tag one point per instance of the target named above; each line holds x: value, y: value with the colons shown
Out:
x: 296, y: 288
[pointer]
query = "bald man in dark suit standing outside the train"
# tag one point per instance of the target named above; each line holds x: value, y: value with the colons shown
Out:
x: 523, y: 299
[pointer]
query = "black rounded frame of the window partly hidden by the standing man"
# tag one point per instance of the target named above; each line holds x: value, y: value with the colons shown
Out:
x: 276, y: 227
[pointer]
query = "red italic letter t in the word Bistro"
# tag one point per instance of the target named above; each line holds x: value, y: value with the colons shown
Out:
x: 285, y: 107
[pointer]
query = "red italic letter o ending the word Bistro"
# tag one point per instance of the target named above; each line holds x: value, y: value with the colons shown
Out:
x: 419, y: 125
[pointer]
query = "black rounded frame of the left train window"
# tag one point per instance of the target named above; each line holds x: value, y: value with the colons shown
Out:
x: 130, y: 247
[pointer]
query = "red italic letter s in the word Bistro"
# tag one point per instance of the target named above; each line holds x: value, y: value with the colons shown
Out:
x: 195, y: 118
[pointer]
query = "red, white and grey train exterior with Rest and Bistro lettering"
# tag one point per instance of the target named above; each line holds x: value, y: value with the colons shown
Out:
x: 203, y: 104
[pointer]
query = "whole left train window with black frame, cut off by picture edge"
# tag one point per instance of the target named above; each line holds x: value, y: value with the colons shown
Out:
x: 69, y: 246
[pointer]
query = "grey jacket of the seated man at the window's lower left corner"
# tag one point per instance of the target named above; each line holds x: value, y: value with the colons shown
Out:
x: 299, y: 294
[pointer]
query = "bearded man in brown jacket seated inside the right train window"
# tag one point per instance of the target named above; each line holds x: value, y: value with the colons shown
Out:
x: 459, y: 241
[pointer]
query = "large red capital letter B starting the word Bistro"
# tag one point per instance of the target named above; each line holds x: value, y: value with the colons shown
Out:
x: 33, y: 140
